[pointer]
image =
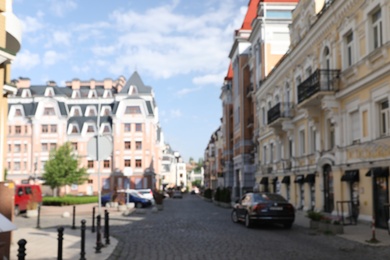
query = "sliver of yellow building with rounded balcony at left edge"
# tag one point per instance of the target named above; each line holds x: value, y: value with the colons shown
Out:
x: 10, y: 40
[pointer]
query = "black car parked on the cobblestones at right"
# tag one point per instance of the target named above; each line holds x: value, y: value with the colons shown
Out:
x: 262, y: 207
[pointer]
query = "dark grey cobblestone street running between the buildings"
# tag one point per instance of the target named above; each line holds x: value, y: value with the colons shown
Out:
x: 191, y: 228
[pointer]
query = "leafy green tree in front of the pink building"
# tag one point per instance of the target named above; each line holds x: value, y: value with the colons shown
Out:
x: 62, y: 168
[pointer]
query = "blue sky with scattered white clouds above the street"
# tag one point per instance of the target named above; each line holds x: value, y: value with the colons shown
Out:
x: 179, y: 47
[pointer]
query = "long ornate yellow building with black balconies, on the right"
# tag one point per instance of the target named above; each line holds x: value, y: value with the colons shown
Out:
x: 325, y: 136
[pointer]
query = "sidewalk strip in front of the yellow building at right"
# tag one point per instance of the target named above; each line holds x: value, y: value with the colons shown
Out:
x: 361, y: 232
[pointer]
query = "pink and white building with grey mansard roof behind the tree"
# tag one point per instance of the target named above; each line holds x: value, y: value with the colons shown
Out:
x: 43, y: 117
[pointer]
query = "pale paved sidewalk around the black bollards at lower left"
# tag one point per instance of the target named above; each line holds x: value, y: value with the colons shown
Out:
x: 42, y: 243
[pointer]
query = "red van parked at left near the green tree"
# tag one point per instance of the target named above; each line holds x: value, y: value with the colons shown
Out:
x: 27, y: 195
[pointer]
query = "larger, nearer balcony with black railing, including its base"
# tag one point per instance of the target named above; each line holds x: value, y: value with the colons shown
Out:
x: 319, y: 84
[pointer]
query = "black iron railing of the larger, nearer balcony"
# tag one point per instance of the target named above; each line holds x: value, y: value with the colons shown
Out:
x: 320, y: 80
